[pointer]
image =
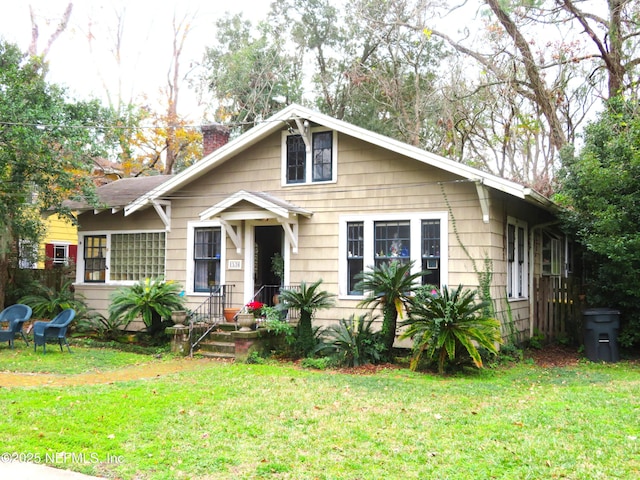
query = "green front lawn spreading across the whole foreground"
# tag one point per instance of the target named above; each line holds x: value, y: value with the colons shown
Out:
x: 238, y: 421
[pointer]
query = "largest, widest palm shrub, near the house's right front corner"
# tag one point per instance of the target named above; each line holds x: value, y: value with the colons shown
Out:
x: 444, y: 320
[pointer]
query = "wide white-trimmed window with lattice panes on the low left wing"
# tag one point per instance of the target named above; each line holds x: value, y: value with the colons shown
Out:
x: 123, y: 257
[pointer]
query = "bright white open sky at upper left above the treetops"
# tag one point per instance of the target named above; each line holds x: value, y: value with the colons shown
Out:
x: 146, y: 46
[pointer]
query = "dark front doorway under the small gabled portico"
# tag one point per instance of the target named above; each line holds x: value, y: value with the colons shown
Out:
x: 268, y: 246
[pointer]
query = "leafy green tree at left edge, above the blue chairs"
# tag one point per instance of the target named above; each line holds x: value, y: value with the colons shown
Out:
x: 47, y: 144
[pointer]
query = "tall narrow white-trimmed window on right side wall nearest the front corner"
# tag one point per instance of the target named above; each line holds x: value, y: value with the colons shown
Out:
x: 517, y: 259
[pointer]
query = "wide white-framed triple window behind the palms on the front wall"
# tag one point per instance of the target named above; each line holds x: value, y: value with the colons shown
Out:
x: 370, y: 240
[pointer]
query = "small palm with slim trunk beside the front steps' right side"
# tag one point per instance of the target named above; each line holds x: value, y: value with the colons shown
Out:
x: 307, y: 299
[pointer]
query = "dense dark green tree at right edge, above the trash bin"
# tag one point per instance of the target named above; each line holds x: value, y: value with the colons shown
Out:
x: 601, y: 191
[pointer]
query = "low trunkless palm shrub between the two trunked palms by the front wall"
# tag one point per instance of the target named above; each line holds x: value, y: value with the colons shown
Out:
x: 355, y: 341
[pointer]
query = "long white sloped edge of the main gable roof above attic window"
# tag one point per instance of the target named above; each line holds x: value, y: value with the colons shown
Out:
x: 294, y: 113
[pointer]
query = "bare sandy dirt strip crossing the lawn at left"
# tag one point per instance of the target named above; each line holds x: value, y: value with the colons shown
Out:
x: 135, y: 372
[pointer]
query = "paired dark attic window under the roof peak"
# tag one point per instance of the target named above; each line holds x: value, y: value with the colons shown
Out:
x: 298, y: 169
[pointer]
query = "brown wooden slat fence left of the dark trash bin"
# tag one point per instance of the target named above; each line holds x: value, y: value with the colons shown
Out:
x: 557, y: 309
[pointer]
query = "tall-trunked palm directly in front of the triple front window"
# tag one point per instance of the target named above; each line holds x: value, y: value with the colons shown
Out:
x: 389, y: 286
